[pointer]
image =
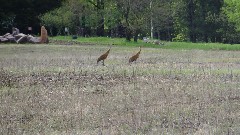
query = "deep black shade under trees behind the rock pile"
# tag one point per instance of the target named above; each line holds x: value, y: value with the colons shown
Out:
x: 23, y: 14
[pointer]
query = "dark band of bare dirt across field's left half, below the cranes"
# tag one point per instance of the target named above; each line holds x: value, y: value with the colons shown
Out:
x: 8, y: 79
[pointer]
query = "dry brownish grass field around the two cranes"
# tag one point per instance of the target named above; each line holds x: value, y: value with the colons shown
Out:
x: 60, y: 89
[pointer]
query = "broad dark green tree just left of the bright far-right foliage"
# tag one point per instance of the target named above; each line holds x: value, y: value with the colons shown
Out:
x: 199, y: 19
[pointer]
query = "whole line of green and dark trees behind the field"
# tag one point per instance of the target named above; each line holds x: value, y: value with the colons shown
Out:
x: 171, y: 20
